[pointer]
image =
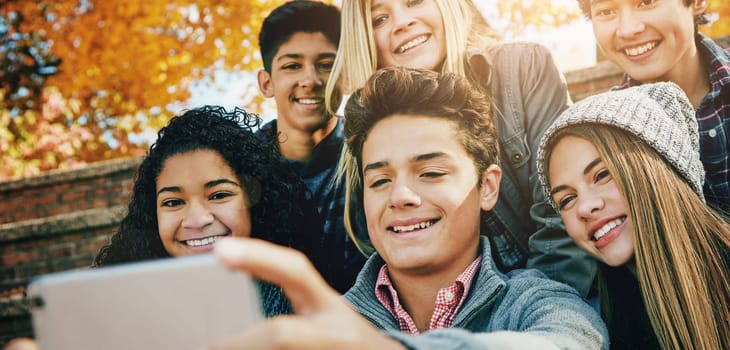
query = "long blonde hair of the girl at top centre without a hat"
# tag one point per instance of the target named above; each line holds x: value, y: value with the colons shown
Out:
x: 357, y: 60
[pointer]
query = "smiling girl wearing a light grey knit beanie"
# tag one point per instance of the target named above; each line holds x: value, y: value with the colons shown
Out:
x: 623, y: 169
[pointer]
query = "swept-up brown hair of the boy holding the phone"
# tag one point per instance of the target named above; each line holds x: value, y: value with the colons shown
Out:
x: 399, y: 90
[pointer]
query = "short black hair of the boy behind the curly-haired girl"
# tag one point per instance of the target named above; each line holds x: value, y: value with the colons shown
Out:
x: 302, y: 16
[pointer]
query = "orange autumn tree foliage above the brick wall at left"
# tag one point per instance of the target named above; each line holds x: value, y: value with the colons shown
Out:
x: 123, y: 64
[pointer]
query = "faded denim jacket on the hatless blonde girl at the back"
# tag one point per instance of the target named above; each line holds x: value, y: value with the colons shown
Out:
x: 528, y: 92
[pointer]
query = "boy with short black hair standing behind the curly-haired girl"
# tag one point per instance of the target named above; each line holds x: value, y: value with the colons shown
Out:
x: 298, y: 42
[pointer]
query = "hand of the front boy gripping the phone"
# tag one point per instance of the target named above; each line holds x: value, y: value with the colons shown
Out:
x: 322, y: 317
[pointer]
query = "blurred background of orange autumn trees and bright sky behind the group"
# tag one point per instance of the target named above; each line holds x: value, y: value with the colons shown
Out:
x: 89, y: 80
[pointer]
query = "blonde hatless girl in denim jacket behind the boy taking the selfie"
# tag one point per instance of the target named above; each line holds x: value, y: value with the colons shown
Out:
x: 527, y: 93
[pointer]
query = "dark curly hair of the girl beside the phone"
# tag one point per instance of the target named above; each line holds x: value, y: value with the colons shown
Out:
x: 277, y: 193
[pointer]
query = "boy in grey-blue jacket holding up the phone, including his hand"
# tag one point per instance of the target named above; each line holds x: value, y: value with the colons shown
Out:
x: 426, y: 149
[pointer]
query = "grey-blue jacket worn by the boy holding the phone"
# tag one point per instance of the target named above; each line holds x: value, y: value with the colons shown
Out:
x: 520, y: 310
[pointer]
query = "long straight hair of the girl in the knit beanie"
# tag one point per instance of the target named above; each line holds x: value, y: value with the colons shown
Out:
x: 682, y: 246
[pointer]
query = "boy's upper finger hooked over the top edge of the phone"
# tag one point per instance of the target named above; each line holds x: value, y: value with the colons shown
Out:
x: 283, y: 266
